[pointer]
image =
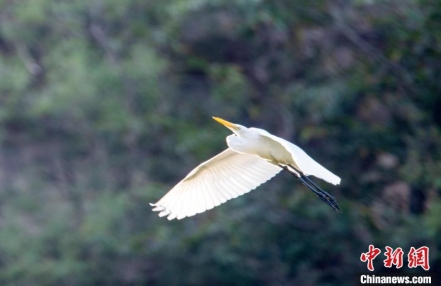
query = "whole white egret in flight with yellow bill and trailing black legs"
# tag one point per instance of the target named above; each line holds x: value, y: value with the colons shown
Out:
x: 254, y: 156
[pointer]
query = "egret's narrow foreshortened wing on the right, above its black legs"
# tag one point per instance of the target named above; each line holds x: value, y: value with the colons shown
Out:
x: 306, y: 164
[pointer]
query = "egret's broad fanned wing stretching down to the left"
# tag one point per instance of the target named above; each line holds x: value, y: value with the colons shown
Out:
x: 223, y: 177
